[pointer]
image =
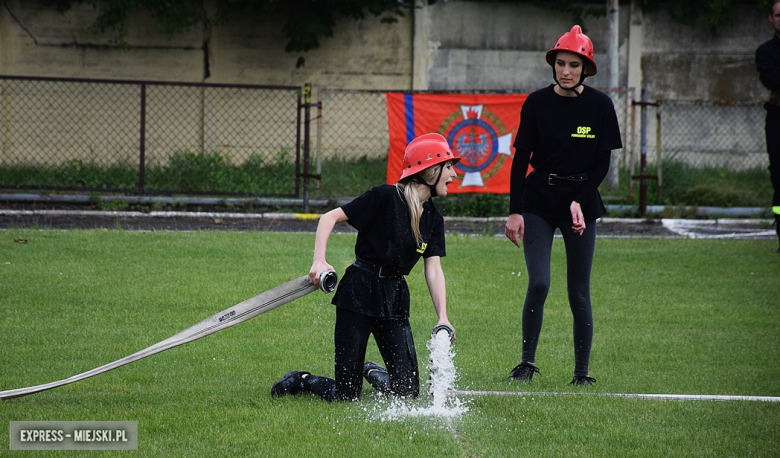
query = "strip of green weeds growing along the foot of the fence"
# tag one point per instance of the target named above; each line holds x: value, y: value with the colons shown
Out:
x: 203, y: 173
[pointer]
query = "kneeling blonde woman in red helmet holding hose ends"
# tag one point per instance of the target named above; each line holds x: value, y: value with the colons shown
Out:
x: 396, y: 226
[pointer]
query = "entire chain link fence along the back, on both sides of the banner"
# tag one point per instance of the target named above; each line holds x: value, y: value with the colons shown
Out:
x: 154, y: 137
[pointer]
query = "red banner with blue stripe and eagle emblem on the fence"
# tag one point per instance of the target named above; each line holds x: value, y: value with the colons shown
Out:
x: 480, y: 129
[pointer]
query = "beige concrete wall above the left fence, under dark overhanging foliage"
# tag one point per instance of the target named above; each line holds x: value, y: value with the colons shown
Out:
x: 361, y: 54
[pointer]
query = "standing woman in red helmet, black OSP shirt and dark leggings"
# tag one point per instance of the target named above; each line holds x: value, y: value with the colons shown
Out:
x: 571, y: 130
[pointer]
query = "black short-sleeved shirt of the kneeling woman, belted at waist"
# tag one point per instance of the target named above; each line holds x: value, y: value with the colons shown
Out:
x: 385, y: 238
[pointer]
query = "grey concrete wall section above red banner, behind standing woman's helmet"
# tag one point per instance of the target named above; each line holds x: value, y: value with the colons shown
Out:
x: 499, y: 46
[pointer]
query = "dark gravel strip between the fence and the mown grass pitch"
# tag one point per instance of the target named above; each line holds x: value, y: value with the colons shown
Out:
x: 78, y: 217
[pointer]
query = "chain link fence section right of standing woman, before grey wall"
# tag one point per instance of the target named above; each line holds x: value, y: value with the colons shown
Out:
x: 703, y: 153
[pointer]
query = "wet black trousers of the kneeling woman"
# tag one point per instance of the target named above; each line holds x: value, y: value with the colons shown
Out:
x: 396, y: 345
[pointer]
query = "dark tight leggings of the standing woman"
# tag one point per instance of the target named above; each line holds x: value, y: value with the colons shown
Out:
x: 537, y: 246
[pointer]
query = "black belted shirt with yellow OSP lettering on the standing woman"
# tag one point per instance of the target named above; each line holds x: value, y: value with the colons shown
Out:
x: 567, y: 135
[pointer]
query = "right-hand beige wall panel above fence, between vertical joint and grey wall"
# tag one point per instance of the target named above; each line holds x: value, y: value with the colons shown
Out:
x: 361, y: 55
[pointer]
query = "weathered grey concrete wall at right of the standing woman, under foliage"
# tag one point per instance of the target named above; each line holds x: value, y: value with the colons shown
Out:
x: 678, y: 64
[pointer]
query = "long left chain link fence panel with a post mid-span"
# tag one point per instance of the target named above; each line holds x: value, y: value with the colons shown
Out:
x: 149, y: 137
